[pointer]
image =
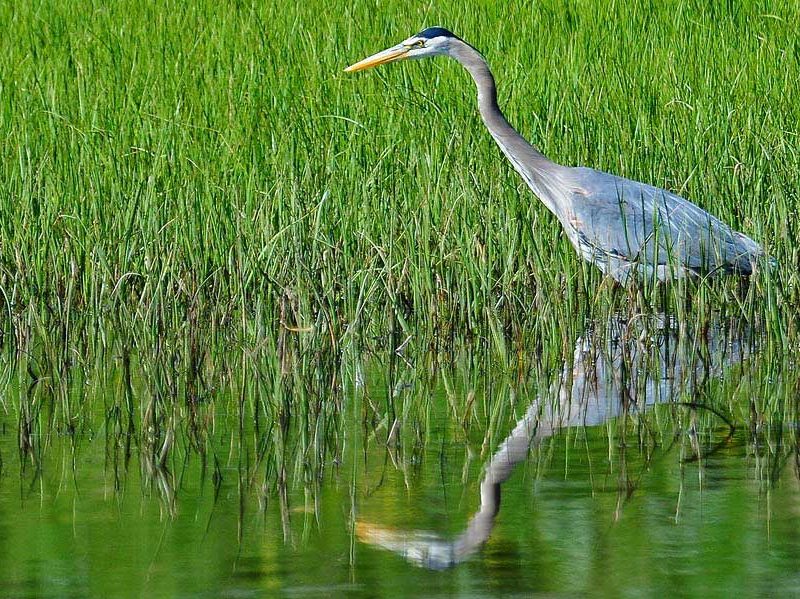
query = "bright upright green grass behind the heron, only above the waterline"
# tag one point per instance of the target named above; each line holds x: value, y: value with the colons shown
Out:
x: 167, y: 177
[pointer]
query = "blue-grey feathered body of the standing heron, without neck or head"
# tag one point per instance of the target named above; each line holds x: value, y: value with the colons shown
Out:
x: 629, y: 228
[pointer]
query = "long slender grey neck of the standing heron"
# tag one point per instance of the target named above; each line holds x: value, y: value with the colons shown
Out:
x: 536, y: 169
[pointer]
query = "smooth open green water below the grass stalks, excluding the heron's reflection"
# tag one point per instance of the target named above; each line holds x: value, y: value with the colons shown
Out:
x: 684, y: 528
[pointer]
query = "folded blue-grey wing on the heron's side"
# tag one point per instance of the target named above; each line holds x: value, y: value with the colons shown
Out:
x: 628, y: 220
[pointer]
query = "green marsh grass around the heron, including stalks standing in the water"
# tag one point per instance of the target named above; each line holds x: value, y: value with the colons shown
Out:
x: 210, y: 235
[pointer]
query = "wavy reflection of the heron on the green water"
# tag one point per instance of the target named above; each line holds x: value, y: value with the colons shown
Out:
x: 626, y: 365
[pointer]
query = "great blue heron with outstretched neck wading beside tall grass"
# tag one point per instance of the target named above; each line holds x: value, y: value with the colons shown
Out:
x: 624, y: 227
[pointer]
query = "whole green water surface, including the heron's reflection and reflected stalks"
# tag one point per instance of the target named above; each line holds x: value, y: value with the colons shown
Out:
x: 664, y: 500
